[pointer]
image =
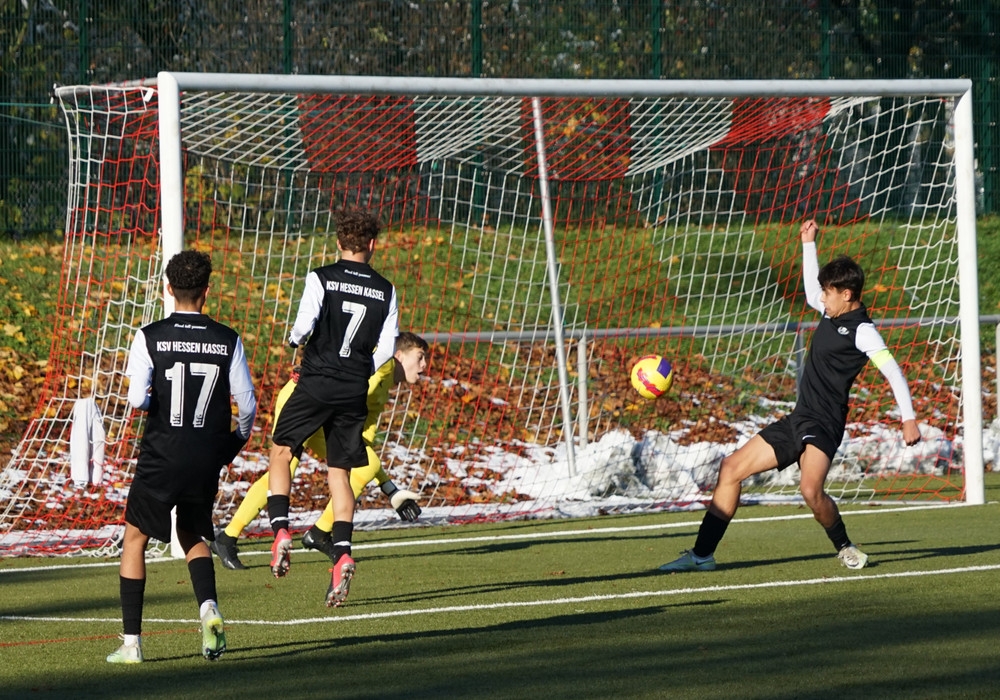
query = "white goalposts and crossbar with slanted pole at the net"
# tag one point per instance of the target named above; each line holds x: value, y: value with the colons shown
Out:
x: 170, y: 86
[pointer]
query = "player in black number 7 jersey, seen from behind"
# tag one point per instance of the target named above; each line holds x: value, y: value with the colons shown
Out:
x: 348, y: 318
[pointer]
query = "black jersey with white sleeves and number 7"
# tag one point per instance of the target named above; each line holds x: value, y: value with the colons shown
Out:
x: 350, y: 315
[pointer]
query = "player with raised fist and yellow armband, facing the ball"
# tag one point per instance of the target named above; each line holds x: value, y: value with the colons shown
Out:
x: 844, y: 342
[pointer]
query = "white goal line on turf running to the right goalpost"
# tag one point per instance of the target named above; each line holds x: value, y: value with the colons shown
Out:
x: 450, y: 541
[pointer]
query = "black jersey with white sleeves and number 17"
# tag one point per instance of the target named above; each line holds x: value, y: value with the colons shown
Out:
x: 190, y: 365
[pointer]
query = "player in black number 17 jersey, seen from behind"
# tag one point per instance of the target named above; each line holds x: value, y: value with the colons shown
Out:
x: 182, y: 371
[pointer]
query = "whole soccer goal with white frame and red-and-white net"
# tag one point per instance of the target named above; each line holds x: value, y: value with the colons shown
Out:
x: 543, y: 235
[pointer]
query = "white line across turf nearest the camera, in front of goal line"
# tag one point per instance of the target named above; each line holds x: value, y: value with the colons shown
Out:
x: 537, y: 603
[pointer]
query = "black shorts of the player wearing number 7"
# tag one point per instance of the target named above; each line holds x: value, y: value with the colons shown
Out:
x: 342, y: 418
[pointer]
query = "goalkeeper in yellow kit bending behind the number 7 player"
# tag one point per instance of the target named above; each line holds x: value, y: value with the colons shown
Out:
x: 408, y: 363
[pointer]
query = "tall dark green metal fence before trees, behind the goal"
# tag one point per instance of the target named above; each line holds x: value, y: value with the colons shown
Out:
x: 45, y: 42
